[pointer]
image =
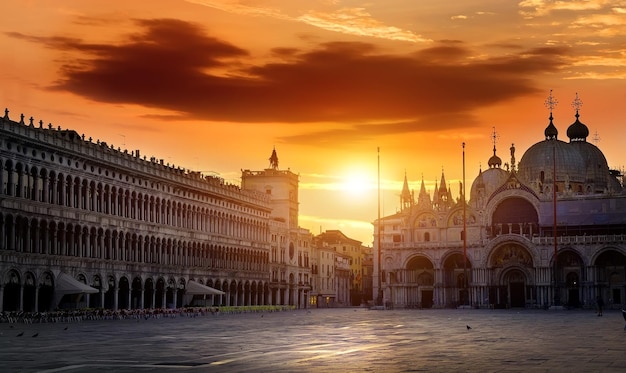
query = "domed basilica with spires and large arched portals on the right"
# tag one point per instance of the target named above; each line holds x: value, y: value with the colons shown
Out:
x: 547, y: 232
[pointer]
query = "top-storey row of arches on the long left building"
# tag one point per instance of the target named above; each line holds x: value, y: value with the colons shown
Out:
x: 20, y: 180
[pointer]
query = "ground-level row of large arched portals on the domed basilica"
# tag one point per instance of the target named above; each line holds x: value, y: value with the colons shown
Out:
x: 511, y: 278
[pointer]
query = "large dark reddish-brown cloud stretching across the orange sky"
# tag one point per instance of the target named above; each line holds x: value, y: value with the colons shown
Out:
x: 175, y: 65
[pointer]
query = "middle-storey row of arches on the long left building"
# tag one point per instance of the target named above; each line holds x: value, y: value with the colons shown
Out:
x: 48, y: 237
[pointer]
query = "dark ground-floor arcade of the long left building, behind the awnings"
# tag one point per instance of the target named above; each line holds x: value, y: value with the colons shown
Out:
x: 28, y: 292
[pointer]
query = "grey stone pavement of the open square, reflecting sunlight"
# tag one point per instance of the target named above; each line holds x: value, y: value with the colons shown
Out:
x: 326, y: 340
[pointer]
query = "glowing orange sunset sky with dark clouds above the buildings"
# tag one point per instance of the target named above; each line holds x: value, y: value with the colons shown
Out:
x: 353, y: 95
